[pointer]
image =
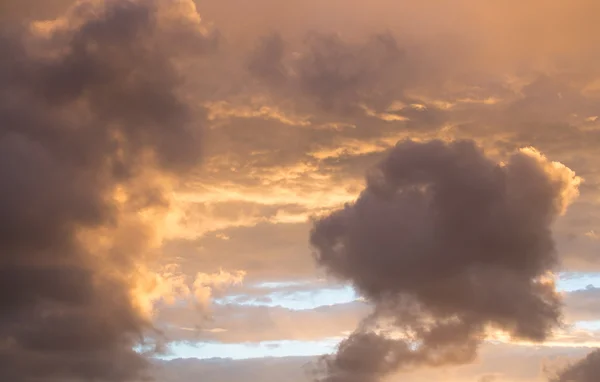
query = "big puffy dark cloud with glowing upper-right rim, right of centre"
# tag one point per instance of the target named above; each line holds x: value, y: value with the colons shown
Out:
x: 446, y: 243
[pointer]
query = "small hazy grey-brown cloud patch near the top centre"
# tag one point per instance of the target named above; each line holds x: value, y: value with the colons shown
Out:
x: 336, y: 74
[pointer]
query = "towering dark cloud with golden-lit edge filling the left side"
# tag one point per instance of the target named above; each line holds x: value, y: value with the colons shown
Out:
x: 89, y: 117
